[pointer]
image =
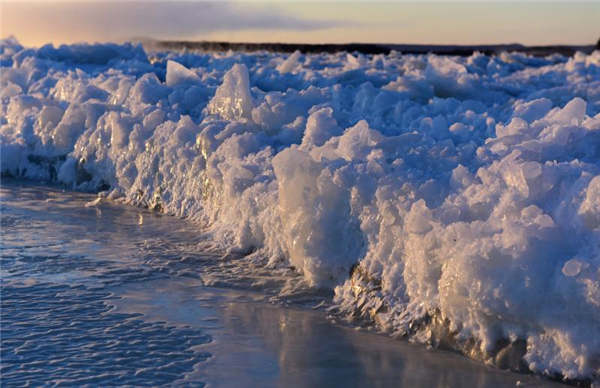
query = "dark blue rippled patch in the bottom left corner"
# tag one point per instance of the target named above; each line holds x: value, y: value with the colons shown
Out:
x: 68, y: 335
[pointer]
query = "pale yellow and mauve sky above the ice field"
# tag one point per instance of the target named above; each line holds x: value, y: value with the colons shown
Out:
x: 532, y: 22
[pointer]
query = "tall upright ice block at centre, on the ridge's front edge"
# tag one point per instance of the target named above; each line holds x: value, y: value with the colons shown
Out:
x: 323, y: 240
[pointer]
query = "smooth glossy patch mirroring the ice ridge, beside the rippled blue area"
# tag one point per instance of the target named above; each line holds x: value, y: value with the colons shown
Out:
x: 257, y: 344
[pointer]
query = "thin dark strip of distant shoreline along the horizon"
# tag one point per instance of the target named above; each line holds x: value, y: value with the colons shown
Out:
x: 460, y: 50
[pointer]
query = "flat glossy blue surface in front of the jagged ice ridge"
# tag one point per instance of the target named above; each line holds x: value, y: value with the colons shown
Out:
x: 105, y: 294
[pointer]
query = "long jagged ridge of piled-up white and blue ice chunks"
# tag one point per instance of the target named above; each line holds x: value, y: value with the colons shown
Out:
x: 422, y: 189
